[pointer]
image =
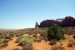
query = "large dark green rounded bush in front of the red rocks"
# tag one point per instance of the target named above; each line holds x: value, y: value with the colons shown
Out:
x: 56, y: 33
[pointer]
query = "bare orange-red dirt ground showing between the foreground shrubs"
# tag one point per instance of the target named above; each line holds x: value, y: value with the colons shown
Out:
x: 43, y: 45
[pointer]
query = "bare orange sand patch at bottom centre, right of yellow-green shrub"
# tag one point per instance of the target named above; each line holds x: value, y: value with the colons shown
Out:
x: 43, y: 45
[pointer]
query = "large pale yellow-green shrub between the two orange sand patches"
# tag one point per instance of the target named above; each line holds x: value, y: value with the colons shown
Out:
x: 25, y: 41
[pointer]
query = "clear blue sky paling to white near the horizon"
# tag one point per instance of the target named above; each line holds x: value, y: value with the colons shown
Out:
x: 16, y: 14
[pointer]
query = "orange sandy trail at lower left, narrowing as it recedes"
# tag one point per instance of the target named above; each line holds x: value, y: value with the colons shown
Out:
x: 11, y: 45
